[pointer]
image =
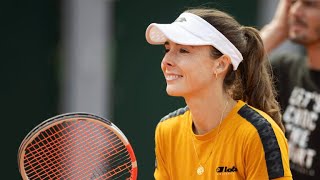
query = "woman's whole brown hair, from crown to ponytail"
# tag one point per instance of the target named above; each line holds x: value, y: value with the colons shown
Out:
x: 251, y: 82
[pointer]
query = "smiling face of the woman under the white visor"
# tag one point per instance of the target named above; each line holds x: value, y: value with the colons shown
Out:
x: 187, y: 69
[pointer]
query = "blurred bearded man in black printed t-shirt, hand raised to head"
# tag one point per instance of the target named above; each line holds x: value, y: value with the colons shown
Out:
x: 297, y: 79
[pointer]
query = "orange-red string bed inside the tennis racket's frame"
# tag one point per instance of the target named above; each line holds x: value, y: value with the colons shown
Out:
x: 77, y: 151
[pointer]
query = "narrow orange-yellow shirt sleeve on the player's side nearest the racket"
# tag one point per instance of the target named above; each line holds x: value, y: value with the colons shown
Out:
x: 160, y: 172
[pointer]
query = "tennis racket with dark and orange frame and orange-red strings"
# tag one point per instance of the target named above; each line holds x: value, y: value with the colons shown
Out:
x: 76, y: 146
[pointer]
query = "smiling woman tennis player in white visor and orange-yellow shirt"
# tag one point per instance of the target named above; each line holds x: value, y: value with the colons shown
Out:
x: 231, y: 127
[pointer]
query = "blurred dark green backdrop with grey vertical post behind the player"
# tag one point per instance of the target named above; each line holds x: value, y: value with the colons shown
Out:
x: 92, y: 56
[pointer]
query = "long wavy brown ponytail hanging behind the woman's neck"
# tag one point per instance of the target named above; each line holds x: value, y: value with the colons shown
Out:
x: 255, y: 72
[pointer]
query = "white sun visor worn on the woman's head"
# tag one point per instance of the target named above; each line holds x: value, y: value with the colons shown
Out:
x: 190, y: 29
